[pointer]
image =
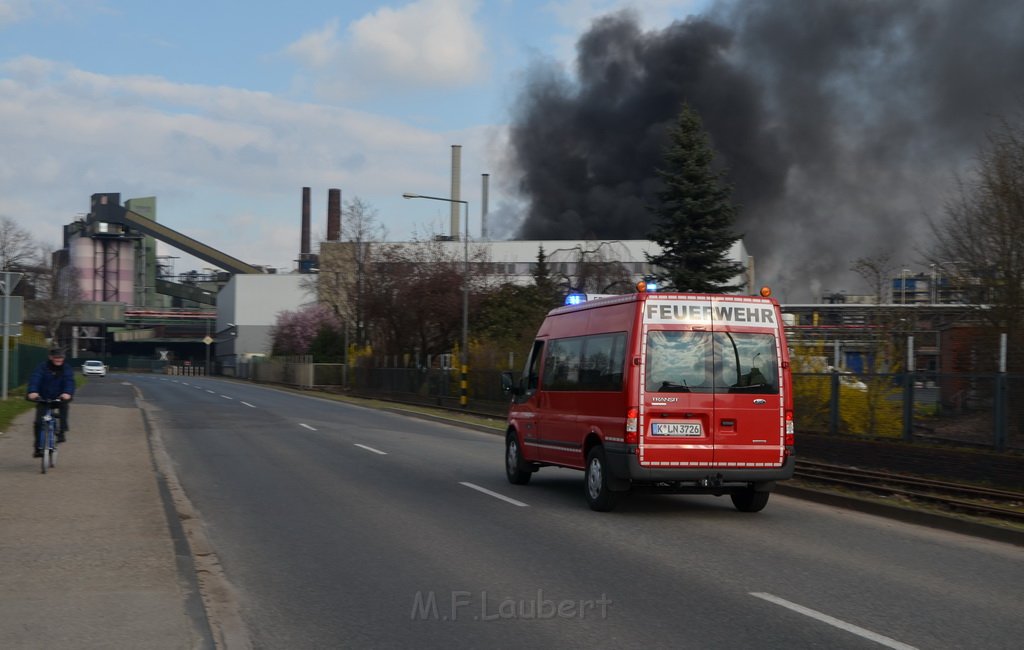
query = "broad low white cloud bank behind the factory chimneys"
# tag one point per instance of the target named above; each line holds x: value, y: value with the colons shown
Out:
x: 227, y: 165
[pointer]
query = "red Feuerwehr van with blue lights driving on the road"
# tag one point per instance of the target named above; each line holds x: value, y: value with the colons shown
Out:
x: 682, y: 394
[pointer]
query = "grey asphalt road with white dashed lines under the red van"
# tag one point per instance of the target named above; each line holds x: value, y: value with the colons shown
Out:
x: 344, y: 527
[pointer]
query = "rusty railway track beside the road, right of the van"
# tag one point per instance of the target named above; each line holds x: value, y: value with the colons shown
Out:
x: 996, y: 504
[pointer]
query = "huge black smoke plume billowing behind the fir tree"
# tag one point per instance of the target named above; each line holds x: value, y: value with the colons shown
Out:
x: 842, y: 124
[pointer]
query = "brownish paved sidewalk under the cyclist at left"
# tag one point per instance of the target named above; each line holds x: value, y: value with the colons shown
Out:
x: 88, y: 555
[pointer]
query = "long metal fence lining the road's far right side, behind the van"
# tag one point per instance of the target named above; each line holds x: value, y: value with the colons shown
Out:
x: 983, y: 410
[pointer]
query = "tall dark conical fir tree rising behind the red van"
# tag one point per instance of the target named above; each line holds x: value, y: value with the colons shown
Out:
x: 695, y: 215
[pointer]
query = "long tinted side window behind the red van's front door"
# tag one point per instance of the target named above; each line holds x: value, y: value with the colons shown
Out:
x: 587, y: 364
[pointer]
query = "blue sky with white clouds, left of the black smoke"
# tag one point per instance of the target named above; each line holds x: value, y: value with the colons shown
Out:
x: 226, y: 110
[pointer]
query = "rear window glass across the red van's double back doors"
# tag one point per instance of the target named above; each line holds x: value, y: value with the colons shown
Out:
x: 706, y: 363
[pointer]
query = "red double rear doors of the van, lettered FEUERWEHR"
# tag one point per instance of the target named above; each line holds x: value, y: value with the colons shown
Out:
x: 712, y: 383
